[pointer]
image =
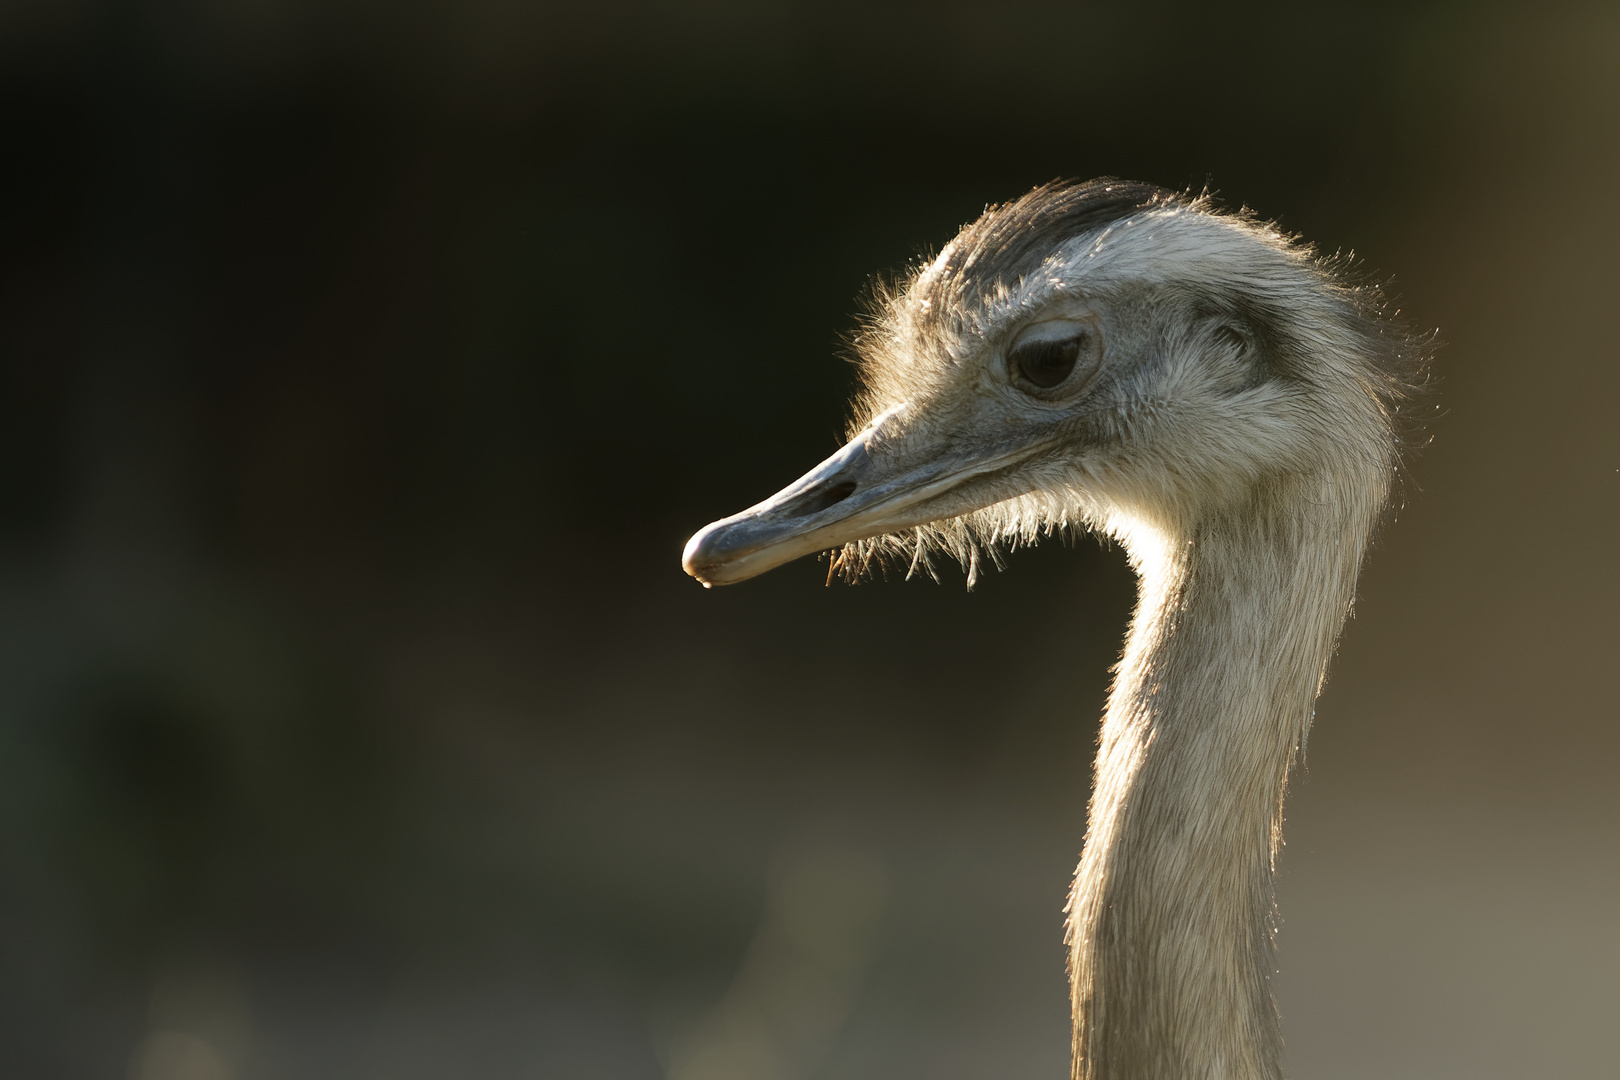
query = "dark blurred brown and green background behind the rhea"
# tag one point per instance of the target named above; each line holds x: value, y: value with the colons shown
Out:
x: 367, y: 367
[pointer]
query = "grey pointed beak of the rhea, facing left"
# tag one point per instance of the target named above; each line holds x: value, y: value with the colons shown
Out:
x: 866, y: 490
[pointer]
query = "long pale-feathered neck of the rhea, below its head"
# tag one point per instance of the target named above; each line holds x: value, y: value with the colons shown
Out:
x: 1172, y: 914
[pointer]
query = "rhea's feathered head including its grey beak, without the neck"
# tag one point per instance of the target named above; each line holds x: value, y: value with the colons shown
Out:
x: 1106, y: 355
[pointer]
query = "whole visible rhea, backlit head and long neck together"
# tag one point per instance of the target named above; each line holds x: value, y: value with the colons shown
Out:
x: 1232, y: 410
